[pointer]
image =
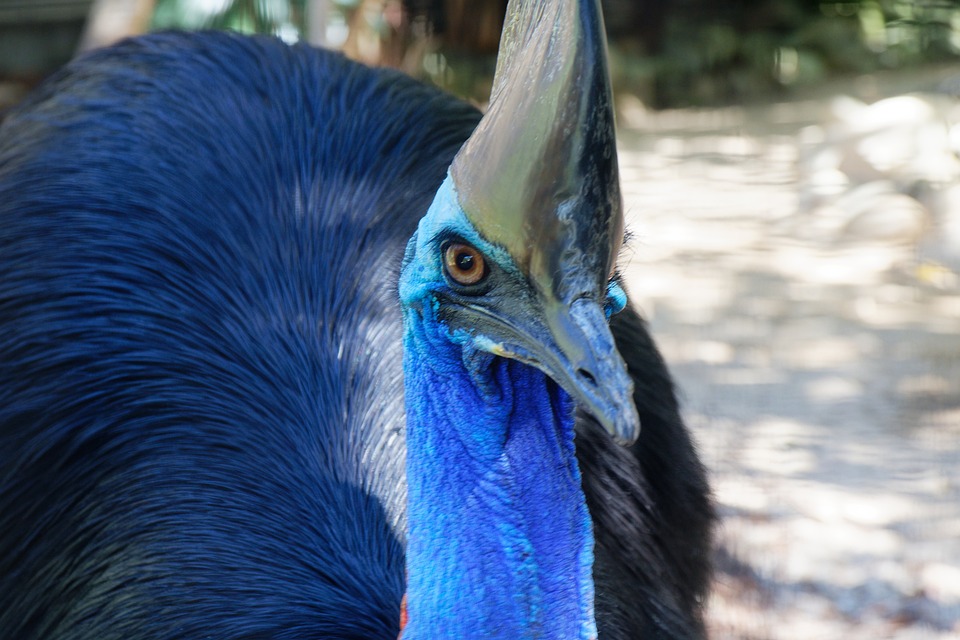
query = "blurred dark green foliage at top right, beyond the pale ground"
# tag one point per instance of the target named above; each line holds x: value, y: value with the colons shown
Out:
x: 727, y: 51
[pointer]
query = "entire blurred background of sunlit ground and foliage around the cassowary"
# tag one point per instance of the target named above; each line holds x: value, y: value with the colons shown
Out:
x: 792, y: 182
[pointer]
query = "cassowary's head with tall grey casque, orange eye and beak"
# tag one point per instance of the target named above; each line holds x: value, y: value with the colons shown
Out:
x: 517, y: 251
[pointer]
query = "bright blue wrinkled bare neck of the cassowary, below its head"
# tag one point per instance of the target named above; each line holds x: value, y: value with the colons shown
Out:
x: 500, y: 541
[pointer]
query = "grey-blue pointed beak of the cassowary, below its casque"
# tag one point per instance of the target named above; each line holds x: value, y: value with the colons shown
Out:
x: 572, y: 344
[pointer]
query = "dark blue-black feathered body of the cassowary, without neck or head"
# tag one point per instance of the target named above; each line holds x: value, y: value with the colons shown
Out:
x: 201, y: 399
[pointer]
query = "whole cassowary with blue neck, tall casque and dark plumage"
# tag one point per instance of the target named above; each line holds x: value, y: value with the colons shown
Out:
x: 277, y: 354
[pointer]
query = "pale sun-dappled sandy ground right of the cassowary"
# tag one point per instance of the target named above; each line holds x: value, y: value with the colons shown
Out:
x: 818, y: 356
